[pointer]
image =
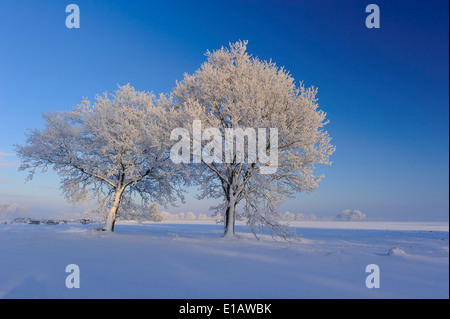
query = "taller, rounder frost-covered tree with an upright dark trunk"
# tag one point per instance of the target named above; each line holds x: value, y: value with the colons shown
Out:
x: 235, y: 91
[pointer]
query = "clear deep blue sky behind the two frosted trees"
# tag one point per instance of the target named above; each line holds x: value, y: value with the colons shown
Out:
x: 385, y: 90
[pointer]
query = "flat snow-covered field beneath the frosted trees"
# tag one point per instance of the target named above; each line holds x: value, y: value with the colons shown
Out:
x: 191, y: 260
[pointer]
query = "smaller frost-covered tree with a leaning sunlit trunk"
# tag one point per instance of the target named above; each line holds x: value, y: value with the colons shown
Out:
x: 114, y: 150
